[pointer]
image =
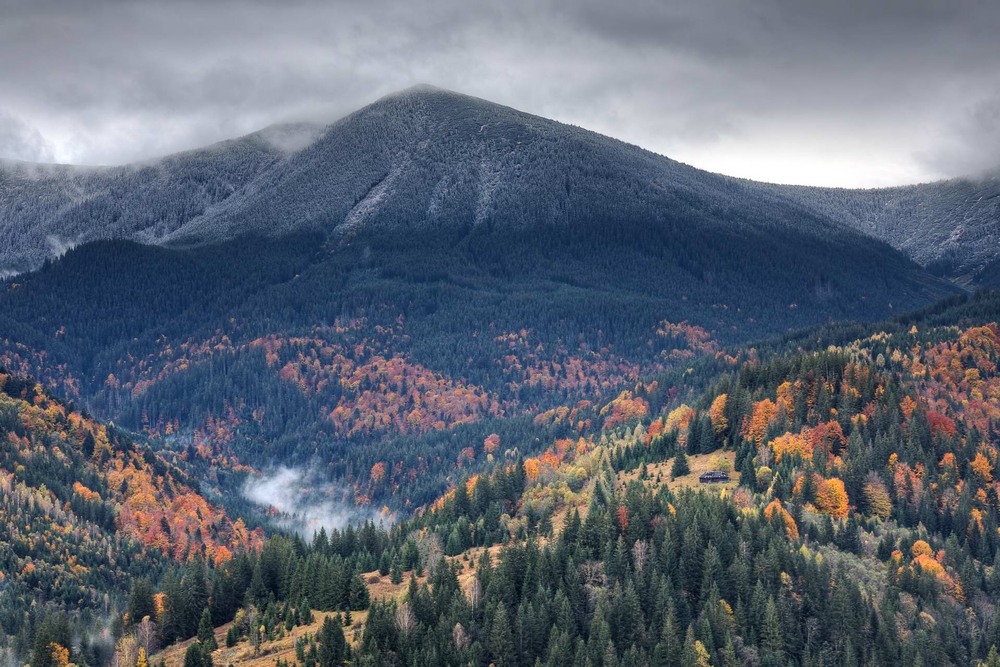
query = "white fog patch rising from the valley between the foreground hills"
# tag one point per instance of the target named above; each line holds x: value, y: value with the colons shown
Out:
x: 302, y: 502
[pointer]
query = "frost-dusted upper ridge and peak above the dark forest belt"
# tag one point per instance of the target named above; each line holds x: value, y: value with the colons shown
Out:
x: 417, y: 160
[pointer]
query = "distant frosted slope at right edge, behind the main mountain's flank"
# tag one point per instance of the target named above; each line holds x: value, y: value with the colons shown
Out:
x: 948, y: 226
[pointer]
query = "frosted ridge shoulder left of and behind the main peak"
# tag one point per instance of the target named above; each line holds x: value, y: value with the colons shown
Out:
x: 48, y: 209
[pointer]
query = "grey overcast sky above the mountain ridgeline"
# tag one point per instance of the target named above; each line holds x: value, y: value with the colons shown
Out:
x: 834, y: 92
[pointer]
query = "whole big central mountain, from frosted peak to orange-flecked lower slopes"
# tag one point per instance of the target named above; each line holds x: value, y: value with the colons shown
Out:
x: 423, y: 273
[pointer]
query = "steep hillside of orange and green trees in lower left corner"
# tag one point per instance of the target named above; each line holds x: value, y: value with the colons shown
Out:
x: 87, y: 511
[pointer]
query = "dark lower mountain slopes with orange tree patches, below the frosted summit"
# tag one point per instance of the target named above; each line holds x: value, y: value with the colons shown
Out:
x: 281, y: 351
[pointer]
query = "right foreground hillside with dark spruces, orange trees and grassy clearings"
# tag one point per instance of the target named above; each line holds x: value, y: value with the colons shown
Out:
x: 863, y: 529
